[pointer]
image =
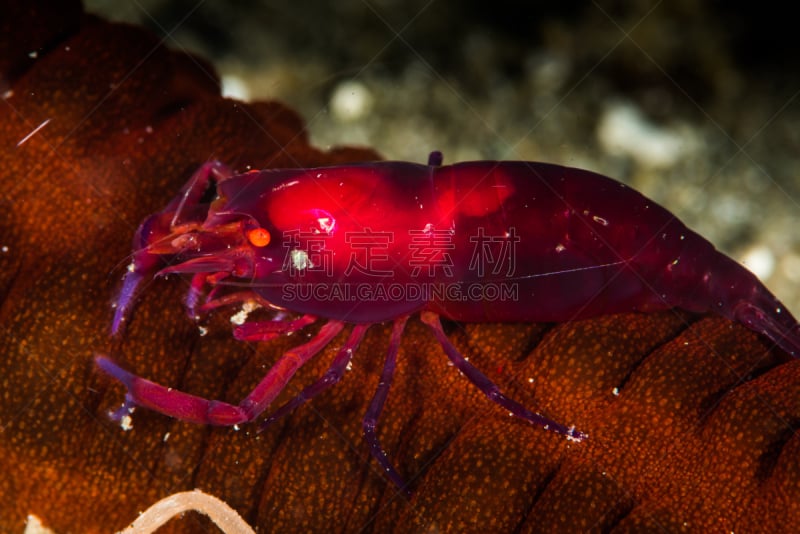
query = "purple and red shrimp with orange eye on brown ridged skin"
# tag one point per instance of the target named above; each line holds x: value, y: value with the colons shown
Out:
x: 475, y: 242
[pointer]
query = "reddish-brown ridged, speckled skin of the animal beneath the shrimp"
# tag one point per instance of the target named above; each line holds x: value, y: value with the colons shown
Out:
x: 702, y: 435
